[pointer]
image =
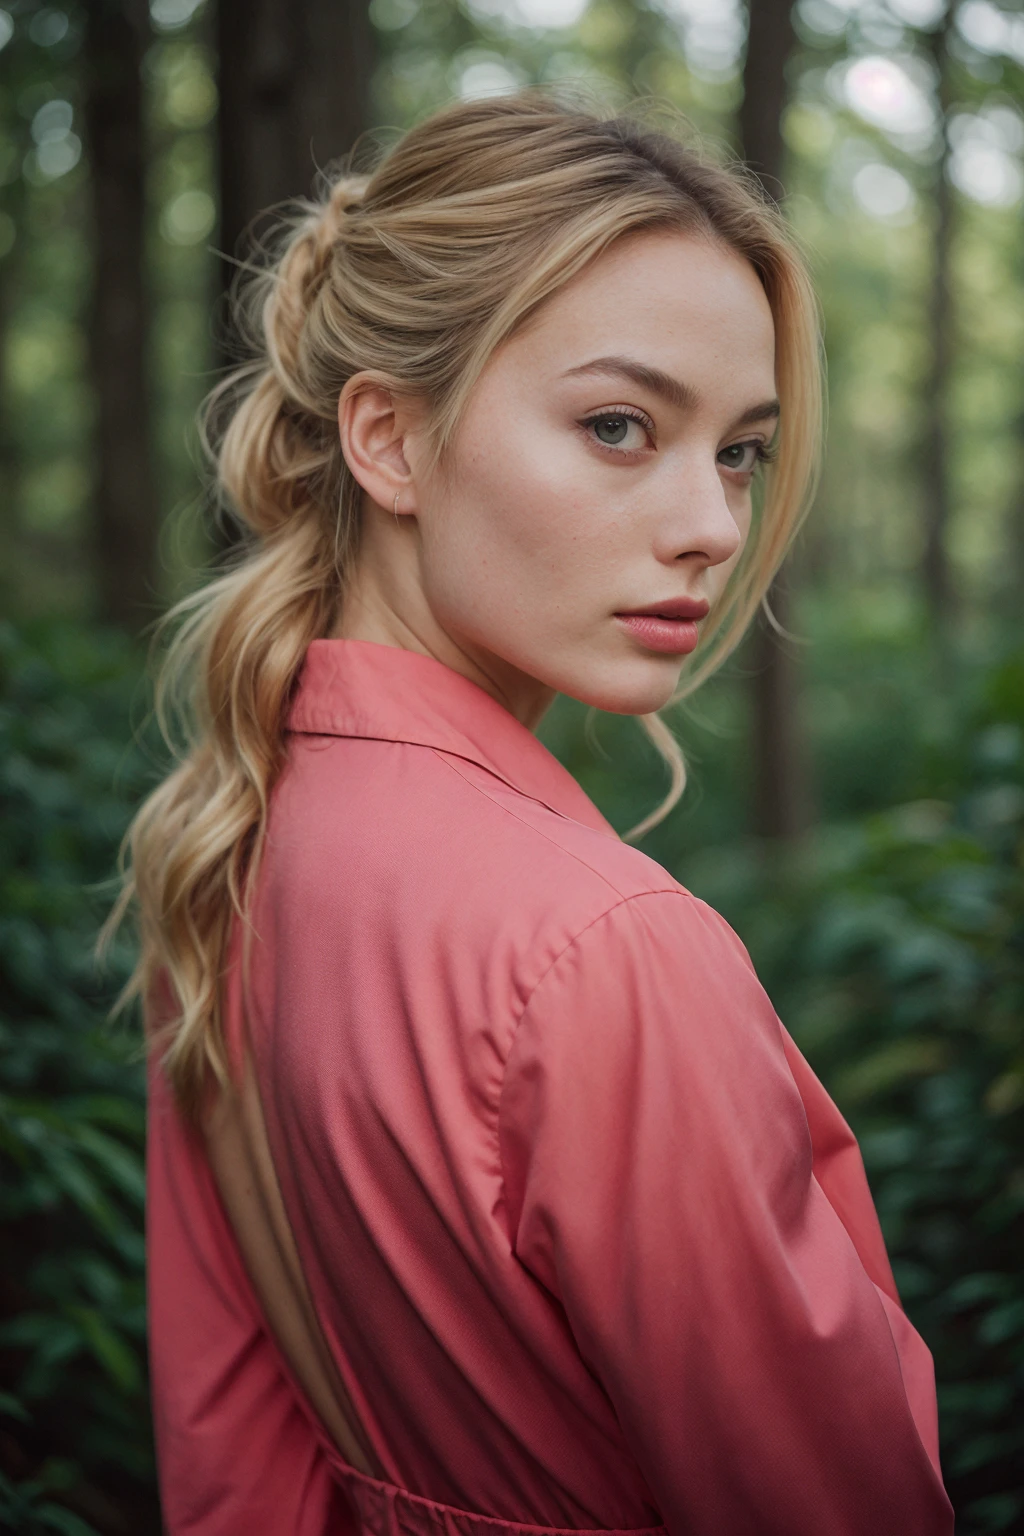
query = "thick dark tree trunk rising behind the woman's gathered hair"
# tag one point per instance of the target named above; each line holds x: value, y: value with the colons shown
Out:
x: 294, y: 88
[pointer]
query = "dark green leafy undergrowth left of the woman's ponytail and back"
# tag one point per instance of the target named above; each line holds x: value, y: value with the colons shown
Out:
x: 76, y: 1434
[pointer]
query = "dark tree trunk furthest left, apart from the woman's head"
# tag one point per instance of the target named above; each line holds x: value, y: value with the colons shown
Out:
x: 125, y: 506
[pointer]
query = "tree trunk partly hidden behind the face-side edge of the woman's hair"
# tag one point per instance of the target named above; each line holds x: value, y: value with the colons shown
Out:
x: 782, y: 783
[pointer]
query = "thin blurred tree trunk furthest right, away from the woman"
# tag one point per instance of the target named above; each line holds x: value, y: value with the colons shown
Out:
x: 936, y: 568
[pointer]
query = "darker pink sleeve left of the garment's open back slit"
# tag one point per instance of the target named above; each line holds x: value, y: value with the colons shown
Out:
x: 236, y: 1452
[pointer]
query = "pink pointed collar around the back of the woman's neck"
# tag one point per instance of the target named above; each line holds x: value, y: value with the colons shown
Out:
x: 392, y: 695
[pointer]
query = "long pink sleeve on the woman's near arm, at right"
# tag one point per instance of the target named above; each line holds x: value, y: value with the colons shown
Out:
x: 659, y: 1179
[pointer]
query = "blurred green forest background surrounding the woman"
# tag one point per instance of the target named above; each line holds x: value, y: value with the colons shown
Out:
x: 857, y: 787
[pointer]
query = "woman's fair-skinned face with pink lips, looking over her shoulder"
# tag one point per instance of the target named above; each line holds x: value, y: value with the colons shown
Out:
x: 603, y: 471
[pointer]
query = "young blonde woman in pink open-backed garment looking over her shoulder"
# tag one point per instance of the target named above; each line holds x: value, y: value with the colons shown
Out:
x: 486, y: 1190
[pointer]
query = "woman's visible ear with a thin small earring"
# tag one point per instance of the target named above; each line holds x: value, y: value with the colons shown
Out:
x: 375, y: 426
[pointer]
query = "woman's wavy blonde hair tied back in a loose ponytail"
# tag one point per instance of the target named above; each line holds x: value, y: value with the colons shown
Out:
x: 417, y: 274
